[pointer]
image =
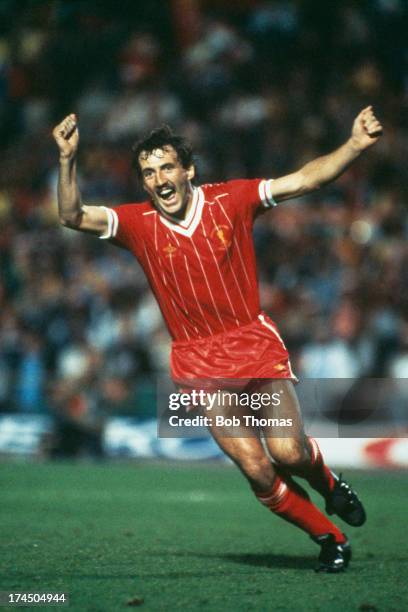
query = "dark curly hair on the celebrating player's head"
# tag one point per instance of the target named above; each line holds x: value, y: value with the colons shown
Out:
x: 159, y: 138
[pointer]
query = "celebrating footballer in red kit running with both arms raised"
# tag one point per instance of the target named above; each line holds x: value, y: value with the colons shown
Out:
x: 195, y: 246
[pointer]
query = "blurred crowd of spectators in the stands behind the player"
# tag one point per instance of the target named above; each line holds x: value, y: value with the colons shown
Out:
x: 259, y: 88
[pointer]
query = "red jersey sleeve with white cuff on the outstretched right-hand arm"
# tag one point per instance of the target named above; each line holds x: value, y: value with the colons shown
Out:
x: 252, y: 194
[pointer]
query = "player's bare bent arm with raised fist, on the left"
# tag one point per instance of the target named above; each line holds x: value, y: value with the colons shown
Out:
x: 72, y: 212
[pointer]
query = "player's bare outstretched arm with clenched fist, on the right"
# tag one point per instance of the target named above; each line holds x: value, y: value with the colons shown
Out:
x: 322, y: 170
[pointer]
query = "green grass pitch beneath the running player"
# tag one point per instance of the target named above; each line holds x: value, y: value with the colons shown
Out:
x: 188, y: 537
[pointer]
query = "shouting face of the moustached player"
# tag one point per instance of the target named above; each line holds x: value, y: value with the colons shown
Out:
x: 166, y: 181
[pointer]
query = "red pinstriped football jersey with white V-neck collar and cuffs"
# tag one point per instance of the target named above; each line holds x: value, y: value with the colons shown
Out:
x: 202, y: 270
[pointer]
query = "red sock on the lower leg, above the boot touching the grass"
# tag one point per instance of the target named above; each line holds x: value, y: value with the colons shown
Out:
x: 288, y: 500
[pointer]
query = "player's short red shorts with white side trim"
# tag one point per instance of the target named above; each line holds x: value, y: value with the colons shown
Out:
x: 233, y: 359
